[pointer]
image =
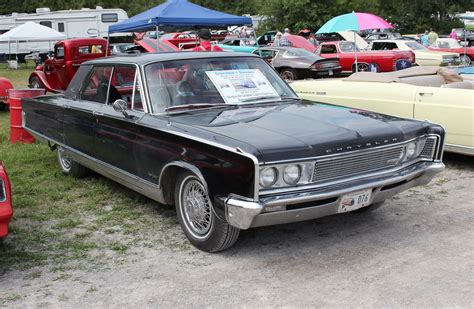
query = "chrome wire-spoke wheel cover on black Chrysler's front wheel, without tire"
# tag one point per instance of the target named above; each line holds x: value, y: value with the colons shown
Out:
x: 195, y: 207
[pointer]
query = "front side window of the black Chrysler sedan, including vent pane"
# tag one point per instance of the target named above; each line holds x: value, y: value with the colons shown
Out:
x: 126, y: 85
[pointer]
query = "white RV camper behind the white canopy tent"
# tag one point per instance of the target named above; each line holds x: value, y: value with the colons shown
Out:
x: 81, y: 23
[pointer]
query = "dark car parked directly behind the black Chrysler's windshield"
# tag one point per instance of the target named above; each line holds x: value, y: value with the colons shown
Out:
x: 296, y: 63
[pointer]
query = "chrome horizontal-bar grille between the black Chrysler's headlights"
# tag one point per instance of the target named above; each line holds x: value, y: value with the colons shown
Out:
x: 356, y: 164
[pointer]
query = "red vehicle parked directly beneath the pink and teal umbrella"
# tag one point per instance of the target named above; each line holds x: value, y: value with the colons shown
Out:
x: 347, y: 52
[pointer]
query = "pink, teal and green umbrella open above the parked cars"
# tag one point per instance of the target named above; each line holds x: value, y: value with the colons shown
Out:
x: 355, y: 22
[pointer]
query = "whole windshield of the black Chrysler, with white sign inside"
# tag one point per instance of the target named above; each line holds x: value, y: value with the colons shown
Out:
x: 213, y: 81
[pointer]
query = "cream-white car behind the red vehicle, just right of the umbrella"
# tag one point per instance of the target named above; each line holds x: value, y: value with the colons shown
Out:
x: 423, y: 55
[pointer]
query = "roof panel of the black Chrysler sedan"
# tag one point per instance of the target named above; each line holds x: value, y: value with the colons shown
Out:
x: 145, y: 58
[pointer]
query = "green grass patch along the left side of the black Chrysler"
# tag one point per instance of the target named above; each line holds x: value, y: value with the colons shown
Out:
x: 64, y: 223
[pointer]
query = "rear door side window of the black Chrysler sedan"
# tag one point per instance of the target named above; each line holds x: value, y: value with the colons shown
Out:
x: 96, y: 87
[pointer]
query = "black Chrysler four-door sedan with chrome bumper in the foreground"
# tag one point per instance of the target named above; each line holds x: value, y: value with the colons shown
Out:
x: 223, y: 137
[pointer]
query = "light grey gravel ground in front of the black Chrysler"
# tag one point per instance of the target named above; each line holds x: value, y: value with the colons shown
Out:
x: 416, y: 251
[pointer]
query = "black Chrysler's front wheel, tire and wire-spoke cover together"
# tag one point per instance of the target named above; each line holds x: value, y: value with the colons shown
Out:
x: 197, y: 219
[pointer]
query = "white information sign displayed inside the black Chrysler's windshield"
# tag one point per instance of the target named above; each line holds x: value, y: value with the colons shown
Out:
x: 242, y: 86
